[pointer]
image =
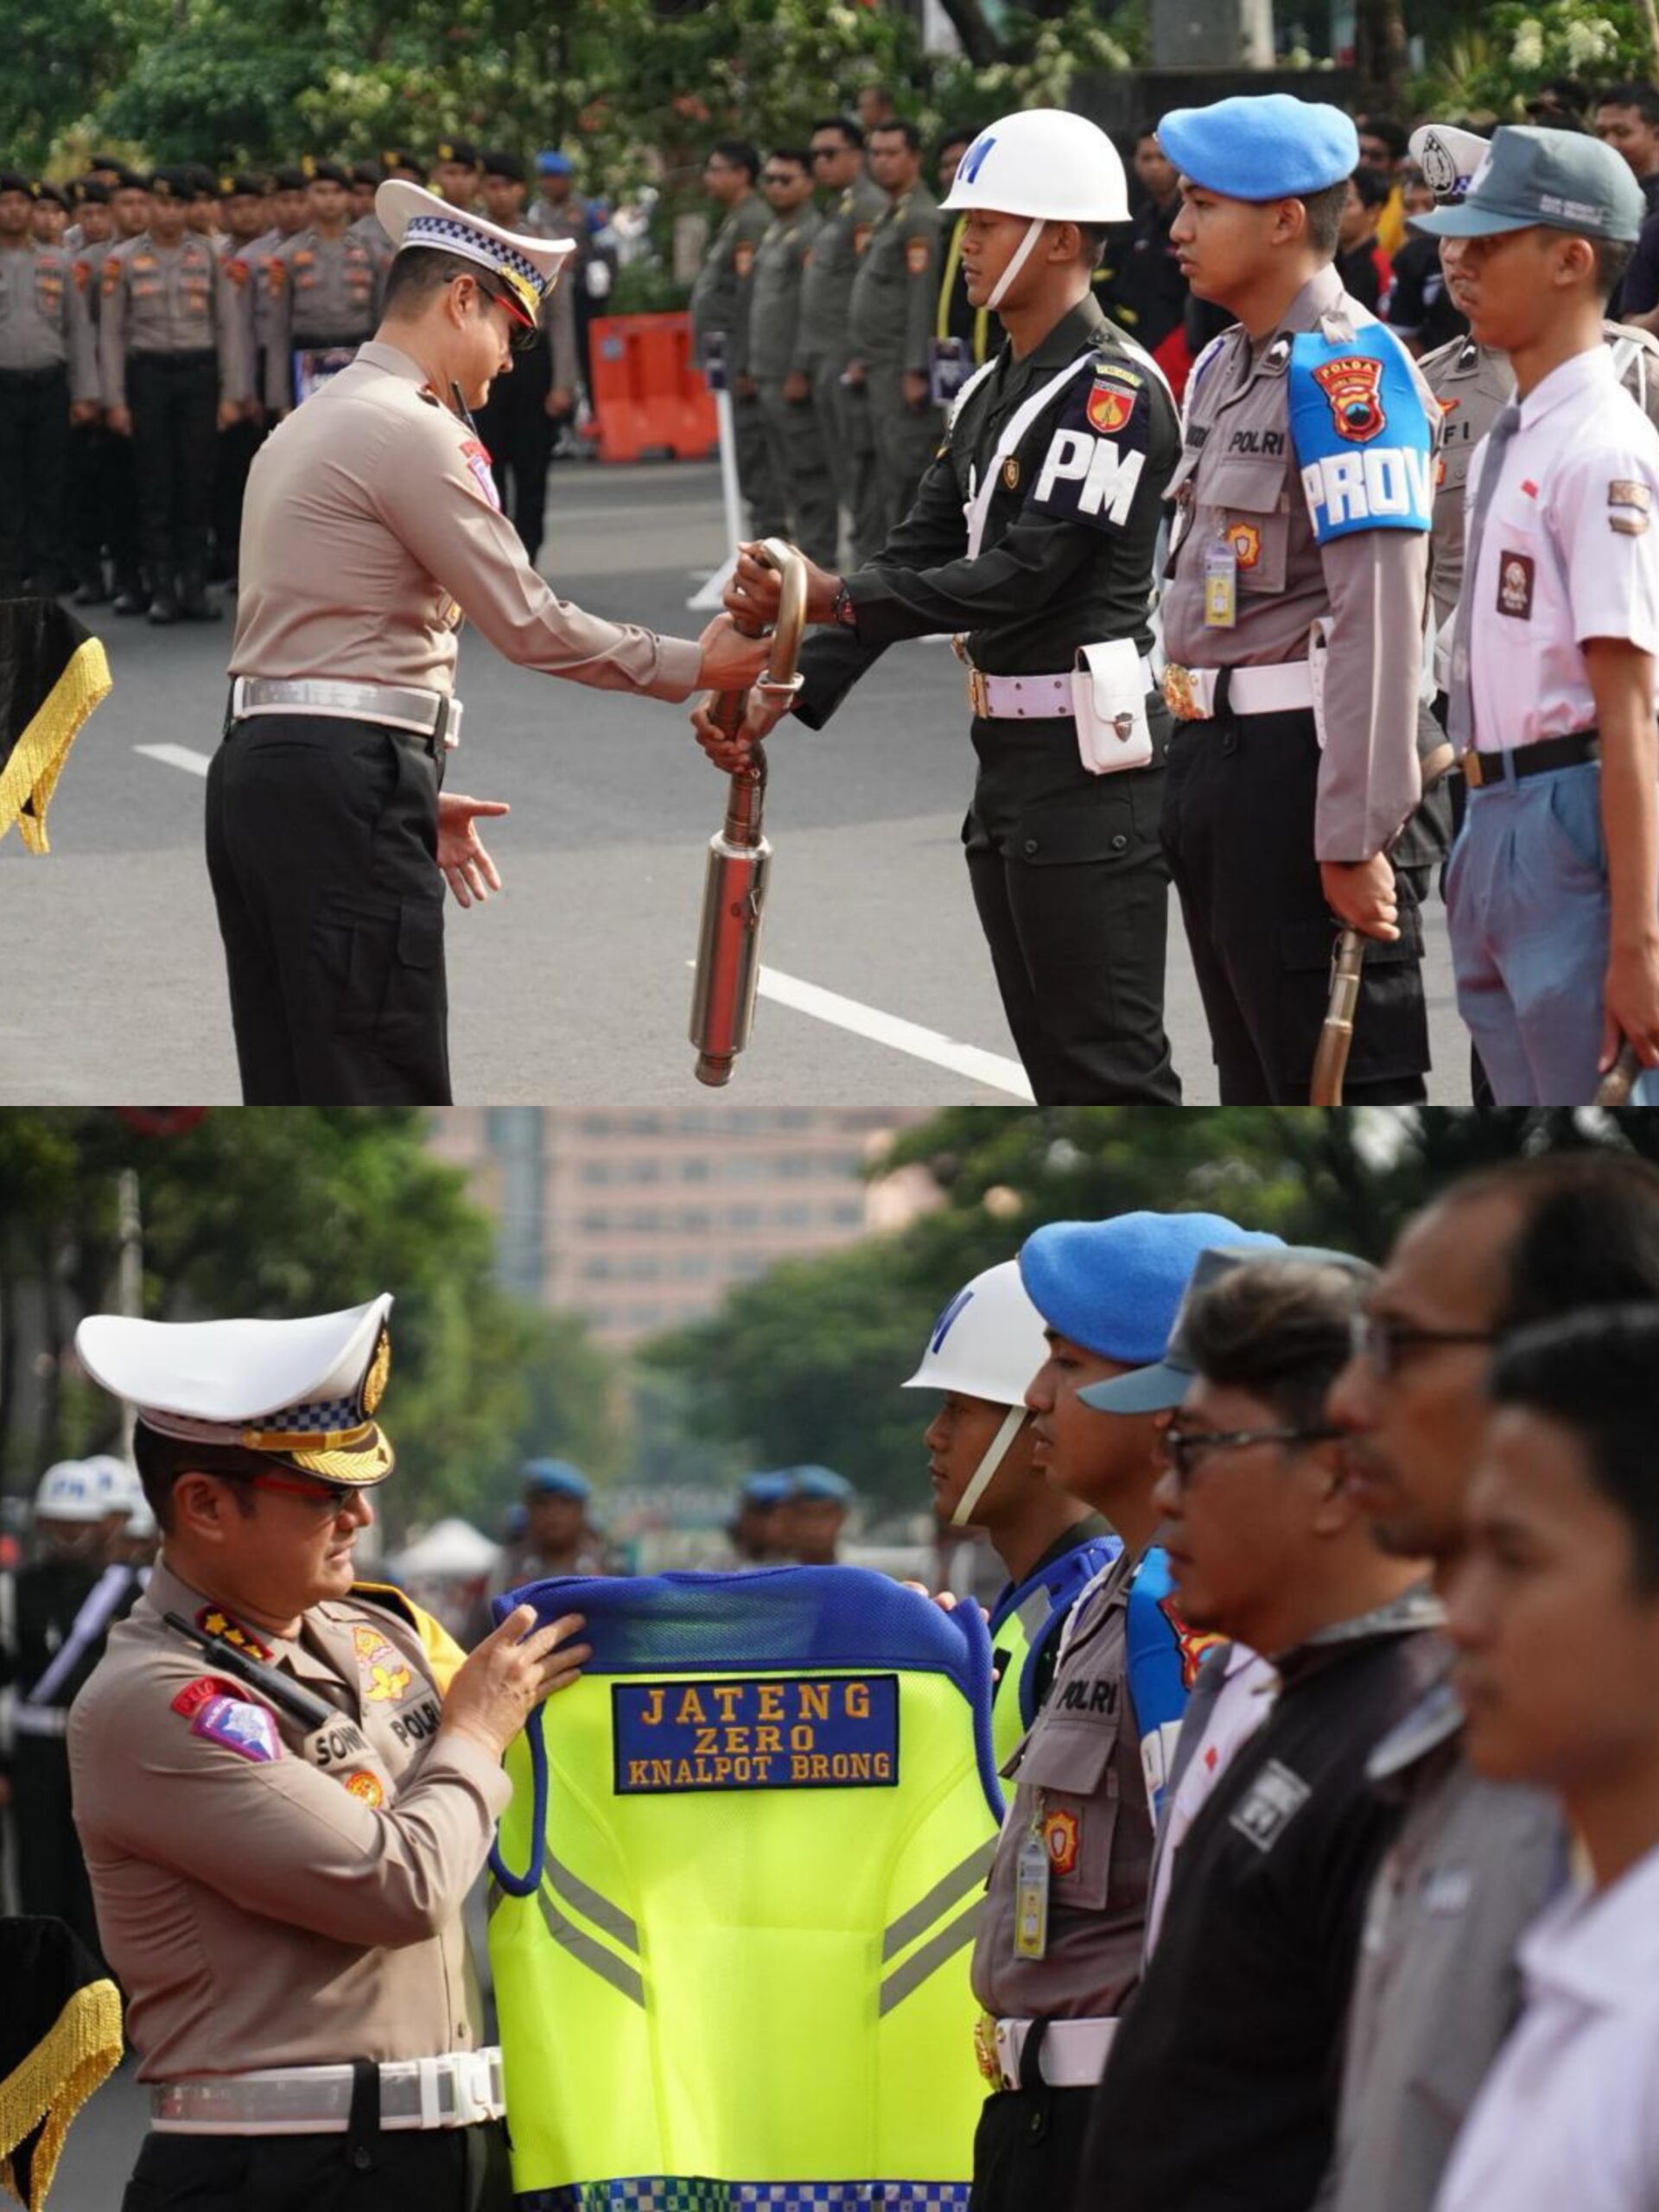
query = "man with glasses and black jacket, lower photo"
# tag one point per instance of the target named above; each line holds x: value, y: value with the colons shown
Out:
x: 1220, y: 2087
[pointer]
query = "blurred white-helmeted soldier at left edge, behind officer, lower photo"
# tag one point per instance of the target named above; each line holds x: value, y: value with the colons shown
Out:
x: 56, y: 1625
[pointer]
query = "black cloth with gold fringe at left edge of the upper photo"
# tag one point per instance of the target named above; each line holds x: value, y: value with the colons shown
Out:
x: 52, y: 678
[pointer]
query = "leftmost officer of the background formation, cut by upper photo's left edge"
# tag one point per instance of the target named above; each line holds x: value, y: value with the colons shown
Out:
x: 48, y: 379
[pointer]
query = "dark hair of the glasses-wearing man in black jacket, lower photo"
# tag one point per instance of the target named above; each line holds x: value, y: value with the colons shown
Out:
x: 1280, y: 1328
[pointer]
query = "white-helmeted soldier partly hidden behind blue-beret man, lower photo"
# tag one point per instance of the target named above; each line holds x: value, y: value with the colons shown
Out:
x: 983, y: 1353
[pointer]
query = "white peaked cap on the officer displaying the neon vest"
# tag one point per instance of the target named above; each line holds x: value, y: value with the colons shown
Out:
x: 293, y: 1390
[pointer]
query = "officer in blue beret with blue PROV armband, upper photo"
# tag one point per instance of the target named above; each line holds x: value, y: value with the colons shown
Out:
x: 1293, y: 614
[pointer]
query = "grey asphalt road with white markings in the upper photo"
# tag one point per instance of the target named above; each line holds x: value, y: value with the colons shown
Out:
x: 574, y: 985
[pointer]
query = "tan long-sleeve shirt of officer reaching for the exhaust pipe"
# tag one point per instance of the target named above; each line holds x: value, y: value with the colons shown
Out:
x: 373, y: 528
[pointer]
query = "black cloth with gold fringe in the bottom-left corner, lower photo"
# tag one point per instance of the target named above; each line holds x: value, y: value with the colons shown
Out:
x: 61, y: 2038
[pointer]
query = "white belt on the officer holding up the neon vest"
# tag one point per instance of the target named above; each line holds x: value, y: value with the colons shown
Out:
x: 452, y: 2091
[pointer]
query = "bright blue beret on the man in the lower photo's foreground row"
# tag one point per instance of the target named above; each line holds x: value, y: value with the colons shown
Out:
x: 1116, y: 1286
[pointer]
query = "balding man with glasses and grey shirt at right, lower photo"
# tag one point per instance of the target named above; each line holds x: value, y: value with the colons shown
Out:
x: 1474, y: 1859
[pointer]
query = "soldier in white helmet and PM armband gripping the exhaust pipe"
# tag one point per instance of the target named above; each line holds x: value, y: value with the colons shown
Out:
x: 1032, y: 539
